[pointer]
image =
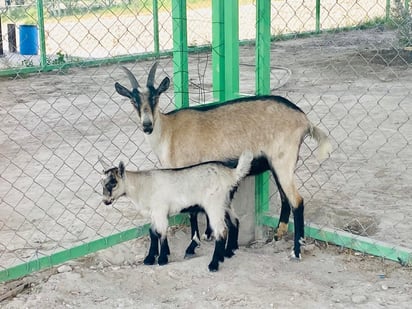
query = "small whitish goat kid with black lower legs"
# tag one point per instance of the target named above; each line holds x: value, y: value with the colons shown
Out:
x: 160, y: 193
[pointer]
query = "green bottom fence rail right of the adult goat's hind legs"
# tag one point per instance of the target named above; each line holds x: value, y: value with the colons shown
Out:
x: 351, y: 241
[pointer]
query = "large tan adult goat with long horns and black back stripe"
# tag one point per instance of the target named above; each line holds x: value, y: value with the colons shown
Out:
x: 272, y: 127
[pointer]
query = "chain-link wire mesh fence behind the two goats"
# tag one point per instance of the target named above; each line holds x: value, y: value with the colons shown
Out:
x: 356, y: 84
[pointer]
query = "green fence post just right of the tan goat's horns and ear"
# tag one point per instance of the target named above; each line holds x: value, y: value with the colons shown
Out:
x: 180, y: 54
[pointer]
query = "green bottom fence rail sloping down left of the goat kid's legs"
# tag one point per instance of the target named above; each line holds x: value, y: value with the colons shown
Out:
x: 54, y: 259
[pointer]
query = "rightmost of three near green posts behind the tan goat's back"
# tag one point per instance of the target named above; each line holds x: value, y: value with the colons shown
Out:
x: 262, y: 88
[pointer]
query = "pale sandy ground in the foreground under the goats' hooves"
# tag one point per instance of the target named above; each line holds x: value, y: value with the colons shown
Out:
x: 259, y: 276
